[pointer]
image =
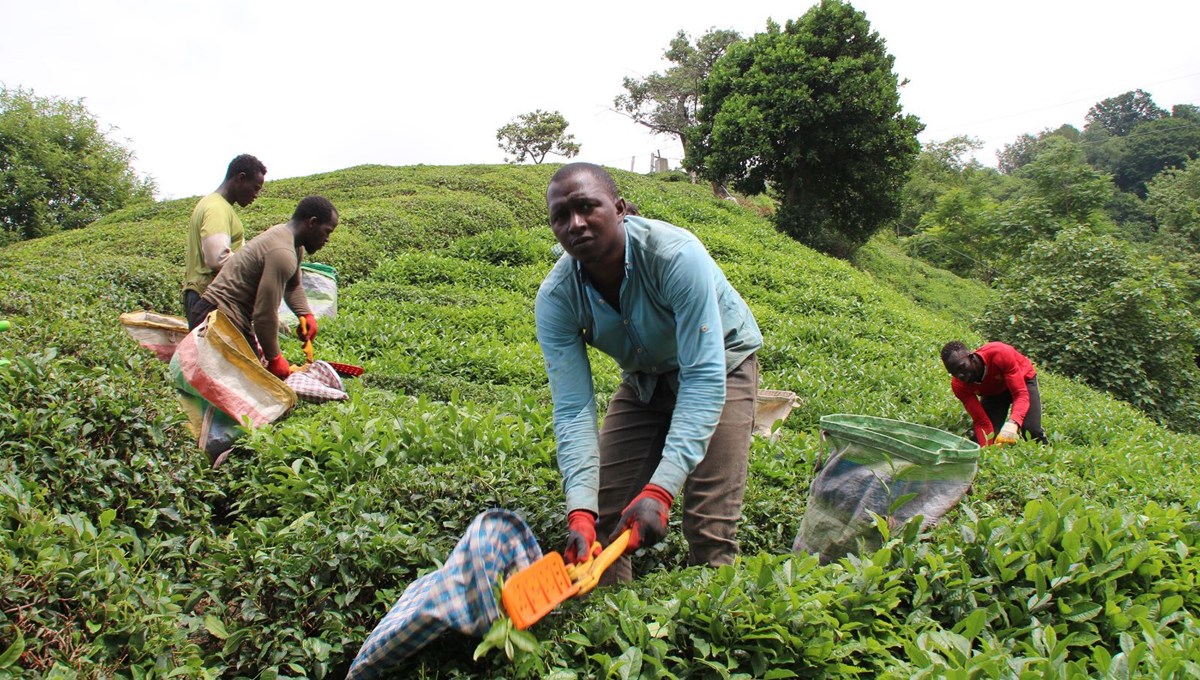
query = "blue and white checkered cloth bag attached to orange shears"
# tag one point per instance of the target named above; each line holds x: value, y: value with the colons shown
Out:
x: 459, y: 597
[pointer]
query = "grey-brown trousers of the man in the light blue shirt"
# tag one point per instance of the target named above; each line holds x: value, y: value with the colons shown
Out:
x: 632, y: 442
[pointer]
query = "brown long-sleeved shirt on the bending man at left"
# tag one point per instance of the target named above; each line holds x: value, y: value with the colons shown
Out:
x: 254, y: 281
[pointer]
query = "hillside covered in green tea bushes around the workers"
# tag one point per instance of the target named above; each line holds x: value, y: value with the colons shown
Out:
x: 281, y: 562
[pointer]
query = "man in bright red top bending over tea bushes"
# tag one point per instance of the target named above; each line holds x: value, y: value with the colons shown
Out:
x: 988, y: 382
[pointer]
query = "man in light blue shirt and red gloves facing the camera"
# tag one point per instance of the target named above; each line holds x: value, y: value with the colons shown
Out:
x: 647, y: 294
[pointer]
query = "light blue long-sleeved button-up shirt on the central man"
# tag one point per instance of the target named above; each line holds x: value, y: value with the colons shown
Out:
x: 680, y: 321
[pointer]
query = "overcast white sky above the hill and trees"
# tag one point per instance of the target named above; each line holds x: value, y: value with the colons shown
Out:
x: 316, y: 87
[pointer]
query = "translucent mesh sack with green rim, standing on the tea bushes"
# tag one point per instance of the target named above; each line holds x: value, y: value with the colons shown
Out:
x: 875, y: 466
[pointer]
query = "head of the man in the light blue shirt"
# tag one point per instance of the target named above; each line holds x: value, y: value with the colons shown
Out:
x: 587, y: 220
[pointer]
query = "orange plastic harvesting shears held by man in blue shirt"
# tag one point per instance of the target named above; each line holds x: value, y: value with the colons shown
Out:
x: 536, y: 591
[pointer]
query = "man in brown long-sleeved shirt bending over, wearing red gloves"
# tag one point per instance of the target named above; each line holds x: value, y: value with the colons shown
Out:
x: 266, y: 270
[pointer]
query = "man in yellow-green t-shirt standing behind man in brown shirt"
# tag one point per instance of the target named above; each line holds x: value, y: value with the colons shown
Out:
x: 217, y: 232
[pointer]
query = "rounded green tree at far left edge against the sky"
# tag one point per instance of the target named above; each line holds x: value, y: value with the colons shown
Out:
x: 58, y: 167
